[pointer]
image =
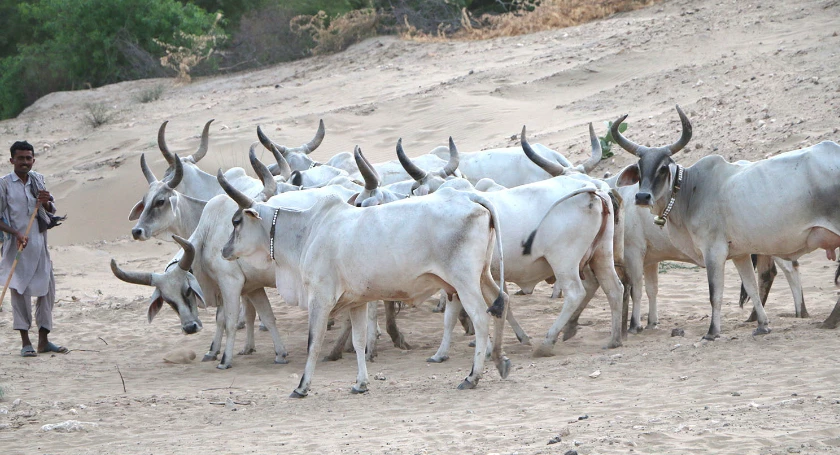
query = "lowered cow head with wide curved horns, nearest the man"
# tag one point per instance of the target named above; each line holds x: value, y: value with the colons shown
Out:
x: 177, y: 287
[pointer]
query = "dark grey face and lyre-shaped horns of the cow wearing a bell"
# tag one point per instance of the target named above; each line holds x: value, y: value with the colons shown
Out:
x: 655, y: 170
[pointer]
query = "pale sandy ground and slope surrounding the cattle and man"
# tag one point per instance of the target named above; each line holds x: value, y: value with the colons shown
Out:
x: 756, y: 78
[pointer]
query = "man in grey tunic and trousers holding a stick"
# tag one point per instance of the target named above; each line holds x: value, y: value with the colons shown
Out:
x: 21, y: 192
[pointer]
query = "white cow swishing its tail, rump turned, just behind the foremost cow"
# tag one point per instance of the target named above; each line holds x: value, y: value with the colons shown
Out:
x: 579, y: 240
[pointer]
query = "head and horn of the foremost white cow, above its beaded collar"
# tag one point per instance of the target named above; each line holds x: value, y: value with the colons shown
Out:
x: 248, y: 237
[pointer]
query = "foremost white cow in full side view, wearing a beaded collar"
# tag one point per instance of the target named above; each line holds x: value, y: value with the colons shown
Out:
x: 333, y: 256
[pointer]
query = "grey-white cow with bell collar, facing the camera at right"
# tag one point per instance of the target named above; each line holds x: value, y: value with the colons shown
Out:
x: 717, y: 210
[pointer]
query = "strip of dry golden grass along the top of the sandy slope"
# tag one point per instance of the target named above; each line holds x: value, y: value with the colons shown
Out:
x: 551, y: 14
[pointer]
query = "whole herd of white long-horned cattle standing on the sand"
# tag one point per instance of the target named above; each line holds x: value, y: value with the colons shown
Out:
x: 345, y: 234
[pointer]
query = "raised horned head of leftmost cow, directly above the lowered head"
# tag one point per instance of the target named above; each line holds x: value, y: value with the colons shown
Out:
x: 156, y: 212
